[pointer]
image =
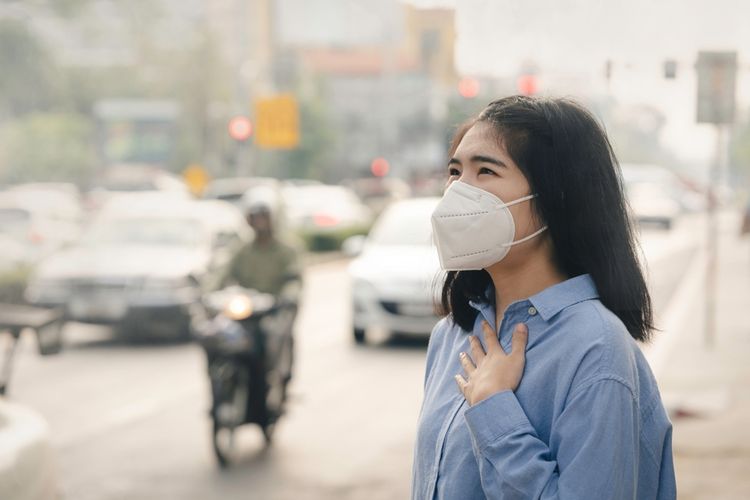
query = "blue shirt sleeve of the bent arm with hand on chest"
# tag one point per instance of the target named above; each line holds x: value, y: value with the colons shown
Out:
x: 596, y: 438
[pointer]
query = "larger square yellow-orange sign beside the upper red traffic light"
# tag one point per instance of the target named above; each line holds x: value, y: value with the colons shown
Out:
x: 277, y: 122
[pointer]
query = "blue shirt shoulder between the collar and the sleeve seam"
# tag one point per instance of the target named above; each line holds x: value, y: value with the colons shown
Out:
x: 600, y: 344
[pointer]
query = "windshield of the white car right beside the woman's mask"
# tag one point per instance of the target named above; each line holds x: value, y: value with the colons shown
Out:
x: 404, y: 225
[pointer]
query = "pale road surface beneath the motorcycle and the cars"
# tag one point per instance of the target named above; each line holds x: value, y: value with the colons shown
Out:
x: 131, y: 421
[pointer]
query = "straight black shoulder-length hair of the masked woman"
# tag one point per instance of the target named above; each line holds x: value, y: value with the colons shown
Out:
x: 568, y: 161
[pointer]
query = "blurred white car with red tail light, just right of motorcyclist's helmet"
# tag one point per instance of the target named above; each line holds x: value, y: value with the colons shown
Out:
x: 325, y: 215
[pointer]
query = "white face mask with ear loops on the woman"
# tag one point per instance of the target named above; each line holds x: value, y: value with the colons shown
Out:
x: 473, y: 228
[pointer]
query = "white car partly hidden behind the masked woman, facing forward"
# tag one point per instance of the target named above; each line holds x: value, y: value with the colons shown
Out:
x: 393, y: 278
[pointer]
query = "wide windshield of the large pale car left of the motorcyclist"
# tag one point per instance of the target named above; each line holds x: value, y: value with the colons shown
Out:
x: 145, y: 231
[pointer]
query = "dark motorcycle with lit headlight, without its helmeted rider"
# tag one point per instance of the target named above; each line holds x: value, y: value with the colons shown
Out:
x: 247, y: 337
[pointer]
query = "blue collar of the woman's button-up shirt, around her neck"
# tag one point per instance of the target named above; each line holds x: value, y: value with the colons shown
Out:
x: 553, y: 299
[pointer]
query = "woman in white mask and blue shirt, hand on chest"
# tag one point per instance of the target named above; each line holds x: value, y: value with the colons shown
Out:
x: 535, y: 386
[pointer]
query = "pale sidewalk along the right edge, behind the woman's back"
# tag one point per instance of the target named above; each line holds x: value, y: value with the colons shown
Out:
x: 707, y: 389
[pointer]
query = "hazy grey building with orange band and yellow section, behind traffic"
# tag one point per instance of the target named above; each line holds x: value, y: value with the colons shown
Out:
x: 385, y: 86
